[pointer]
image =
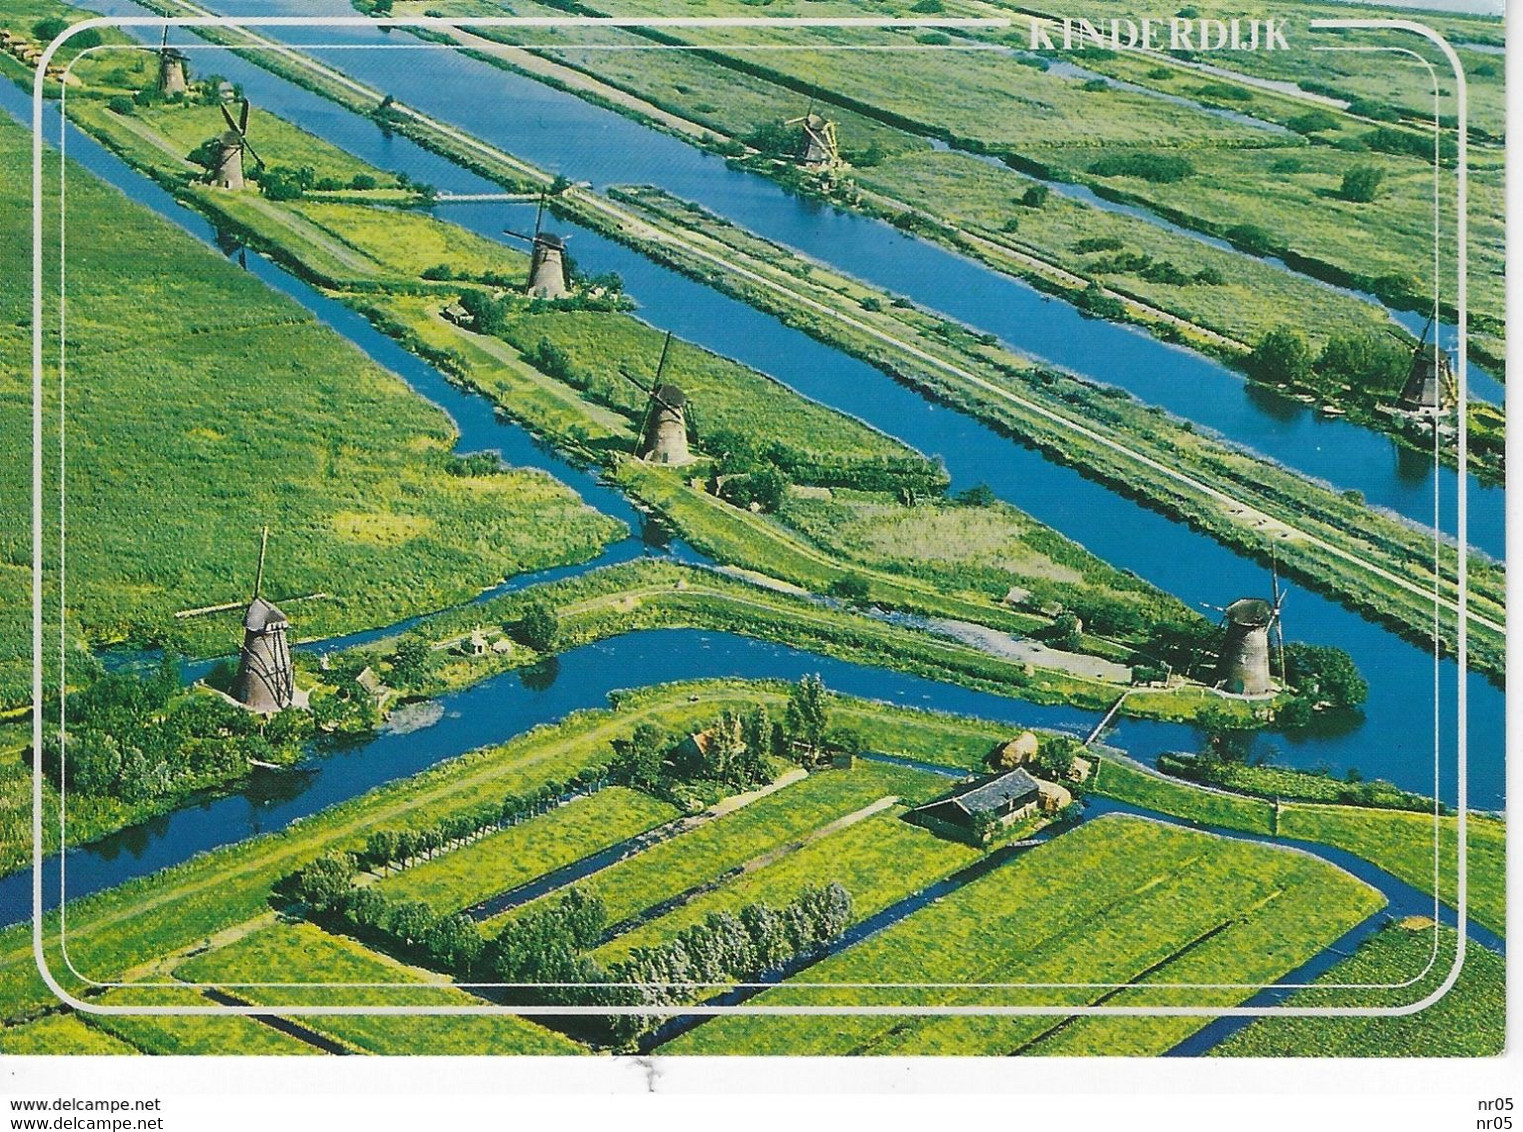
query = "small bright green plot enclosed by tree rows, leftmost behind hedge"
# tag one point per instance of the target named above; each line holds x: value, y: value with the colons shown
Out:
x: 516, y: 855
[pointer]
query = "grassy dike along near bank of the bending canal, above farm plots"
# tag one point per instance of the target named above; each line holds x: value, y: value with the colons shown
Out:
x: 135, y: 927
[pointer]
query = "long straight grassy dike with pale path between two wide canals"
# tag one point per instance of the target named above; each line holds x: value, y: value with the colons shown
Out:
x: 1237, y: 499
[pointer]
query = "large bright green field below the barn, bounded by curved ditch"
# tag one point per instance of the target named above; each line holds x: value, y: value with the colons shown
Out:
x: 1088, y: 907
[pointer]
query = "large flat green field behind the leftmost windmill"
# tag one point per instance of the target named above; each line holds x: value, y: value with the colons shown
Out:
x: 363, y: 507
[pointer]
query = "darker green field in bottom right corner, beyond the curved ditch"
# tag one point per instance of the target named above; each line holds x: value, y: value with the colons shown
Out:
x: 1466, y: 1023
